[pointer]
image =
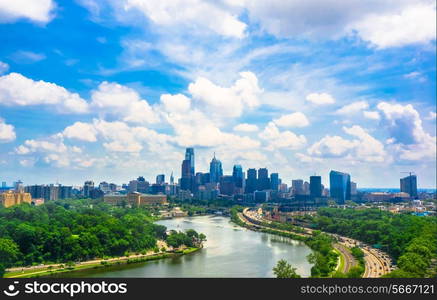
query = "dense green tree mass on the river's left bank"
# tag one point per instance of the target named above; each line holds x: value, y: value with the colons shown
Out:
x: 73, y: 230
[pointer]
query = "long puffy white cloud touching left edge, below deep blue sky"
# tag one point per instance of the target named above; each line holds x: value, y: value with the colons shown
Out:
x: 15, y: 89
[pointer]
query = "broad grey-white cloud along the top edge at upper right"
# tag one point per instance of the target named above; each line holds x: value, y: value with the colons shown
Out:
x: 385, y: 23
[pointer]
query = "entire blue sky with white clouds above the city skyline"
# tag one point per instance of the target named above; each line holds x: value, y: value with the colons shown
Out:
x: 110, y: 90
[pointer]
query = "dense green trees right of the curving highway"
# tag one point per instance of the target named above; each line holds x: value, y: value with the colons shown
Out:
x: 411, y: 240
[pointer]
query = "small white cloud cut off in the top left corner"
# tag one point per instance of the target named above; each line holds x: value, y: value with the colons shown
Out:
x: 40, y: 11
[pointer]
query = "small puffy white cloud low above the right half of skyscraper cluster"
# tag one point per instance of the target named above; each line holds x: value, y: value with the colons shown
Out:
x: 281, y: 139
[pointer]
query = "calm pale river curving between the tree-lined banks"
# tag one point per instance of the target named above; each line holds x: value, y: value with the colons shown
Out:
x: 230, y: 251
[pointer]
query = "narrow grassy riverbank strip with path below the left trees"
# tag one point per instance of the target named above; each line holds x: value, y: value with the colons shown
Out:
x: 53, y: 269
